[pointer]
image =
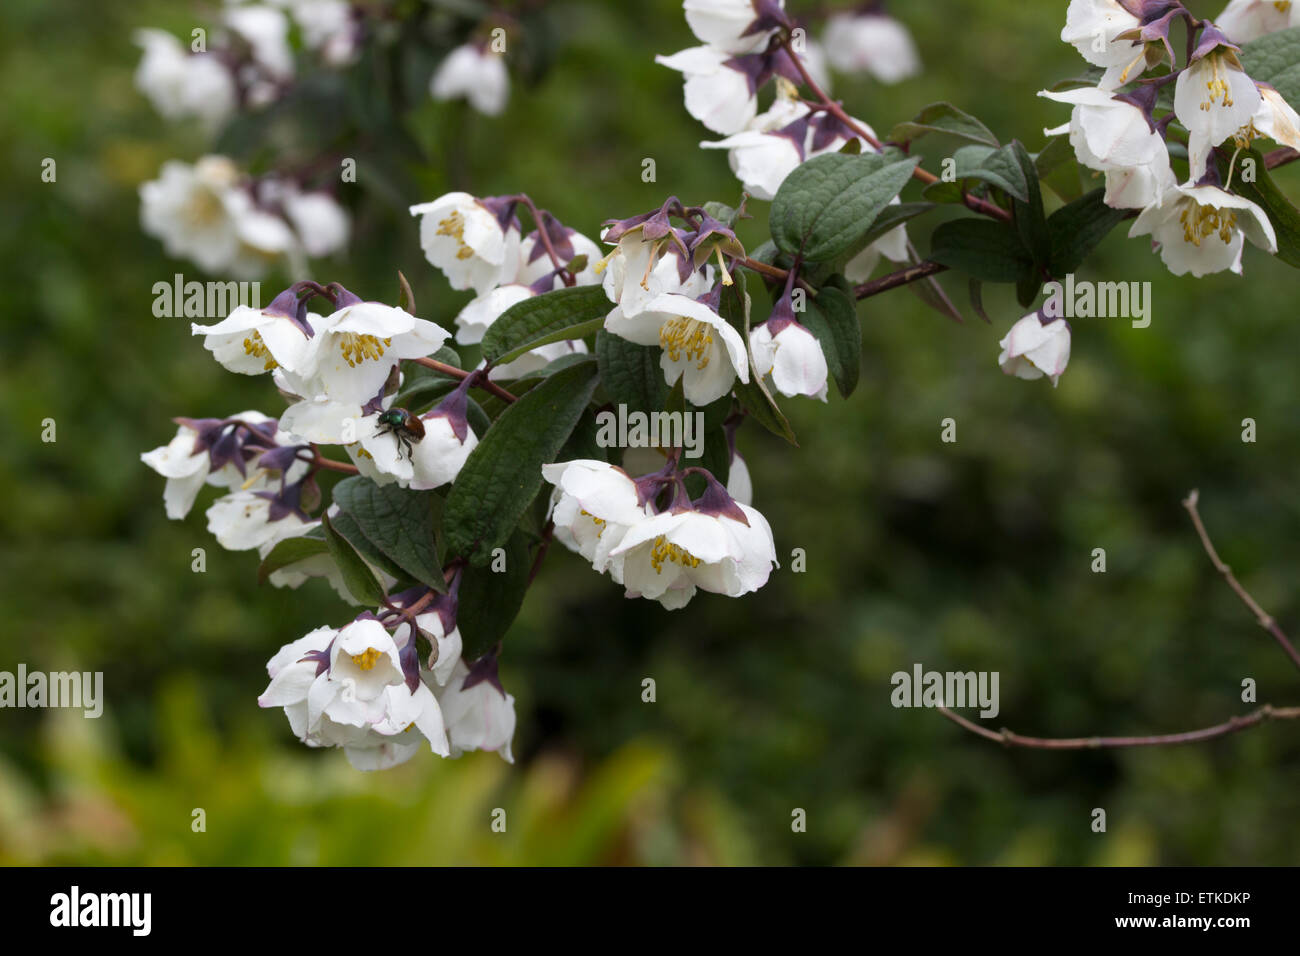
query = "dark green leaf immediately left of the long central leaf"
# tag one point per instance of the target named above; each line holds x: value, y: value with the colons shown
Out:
x: 398, y: 524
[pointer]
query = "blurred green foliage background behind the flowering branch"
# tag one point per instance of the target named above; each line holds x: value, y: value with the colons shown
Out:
x: 964, y: 557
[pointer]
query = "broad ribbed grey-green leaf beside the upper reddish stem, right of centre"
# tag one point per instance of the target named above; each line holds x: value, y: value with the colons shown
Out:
x: 830, y: 202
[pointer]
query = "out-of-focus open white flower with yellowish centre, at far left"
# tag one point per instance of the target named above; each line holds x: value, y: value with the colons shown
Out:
x: 202, y: 213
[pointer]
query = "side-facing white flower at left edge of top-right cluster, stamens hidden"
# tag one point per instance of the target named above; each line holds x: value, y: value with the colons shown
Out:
x: 1116, y: 137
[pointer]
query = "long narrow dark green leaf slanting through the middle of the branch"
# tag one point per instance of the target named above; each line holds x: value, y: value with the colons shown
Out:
x: 505, y: 470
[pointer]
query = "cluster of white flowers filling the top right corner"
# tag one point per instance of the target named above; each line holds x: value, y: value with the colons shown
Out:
x: 1117, y: 128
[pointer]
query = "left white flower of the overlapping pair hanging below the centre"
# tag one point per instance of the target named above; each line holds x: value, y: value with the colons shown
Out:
x: 593, y: 507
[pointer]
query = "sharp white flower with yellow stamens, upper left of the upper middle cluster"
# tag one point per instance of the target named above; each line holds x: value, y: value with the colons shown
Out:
x: 467, y: 243
